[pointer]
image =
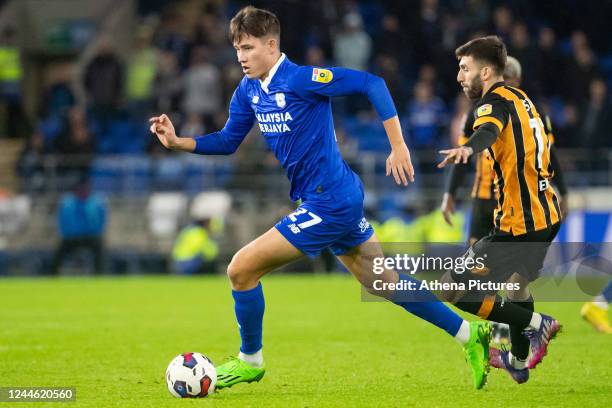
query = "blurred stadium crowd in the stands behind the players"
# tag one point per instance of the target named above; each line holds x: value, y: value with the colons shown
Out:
x: 184, y: 65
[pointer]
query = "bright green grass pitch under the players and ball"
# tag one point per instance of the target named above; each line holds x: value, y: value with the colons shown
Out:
x: 112, y: 339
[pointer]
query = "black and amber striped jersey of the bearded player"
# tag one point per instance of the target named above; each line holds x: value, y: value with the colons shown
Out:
x: 521, y: 161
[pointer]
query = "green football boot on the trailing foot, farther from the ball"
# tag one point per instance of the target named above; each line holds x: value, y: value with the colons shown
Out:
x: 477, y: 352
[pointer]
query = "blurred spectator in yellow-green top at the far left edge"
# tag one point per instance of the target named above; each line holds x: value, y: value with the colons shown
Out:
x: 12, y: 118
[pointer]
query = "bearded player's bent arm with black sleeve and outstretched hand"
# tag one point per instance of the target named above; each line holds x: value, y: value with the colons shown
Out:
x: 491, y: 117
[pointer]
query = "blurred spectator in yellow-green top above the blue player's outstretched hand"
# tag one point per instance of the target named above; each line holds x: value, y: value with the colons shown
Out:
x: 141, y: 71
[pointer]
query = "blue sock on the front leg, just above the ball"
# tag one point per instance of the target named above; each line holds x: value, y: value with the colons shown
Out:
x: 249, y: 306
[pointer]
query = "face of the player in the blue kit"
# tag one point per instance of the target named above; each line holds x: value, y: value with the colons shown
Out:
x: 254, y: 55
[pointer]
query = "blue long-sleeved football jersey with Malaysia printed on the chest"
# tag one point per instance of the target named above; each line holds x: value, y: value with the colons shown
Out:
x: 292, y: 108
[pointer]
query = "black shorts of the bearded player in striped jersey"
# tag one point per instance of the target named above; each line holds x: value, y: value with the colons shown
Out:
x: 499, y: 255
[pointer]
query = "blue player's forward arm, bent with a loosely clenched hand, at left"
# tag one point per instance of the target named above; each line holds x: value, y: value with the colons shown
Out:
x: 224, y: 142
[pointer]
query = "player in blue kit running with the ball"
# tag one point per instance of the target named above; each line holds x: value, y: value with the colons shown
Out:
x: 292, y: 105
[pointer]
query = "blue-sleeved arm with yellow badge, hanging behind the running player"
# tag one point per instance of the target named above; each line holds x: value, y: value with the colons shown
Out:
x: 313, y: 83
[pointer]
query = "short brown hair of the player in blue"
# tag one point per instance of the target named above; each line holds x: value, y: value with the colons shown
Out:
x: 255, y: 22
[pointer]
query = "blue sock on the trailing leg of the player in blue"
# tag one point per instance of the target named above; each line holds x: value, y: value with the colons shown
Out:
x: 427, y: 306
